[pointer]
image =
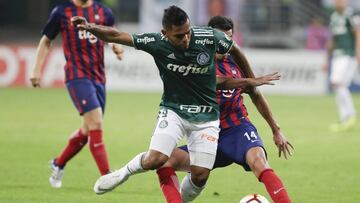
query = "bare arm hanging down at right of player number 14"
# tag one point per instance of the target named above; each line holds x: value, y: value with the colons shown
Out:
x: 261, y: 104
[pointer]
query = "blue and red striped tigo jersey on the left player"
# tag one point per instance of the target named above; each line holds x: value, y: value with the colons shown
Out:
x: 84, y: 53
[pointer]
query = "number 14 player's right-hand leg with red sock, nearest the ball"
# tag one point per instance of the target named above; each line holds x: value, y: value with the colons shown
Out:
x: 256, y: 159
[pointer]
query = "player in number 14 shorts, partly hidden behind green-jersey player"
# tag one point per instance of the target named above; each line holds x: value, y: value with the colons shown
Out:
x: 239, y: 141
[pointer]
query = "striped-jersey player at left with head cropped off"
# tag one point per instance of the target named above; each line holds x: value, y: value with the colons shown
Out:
x: 84, y: 78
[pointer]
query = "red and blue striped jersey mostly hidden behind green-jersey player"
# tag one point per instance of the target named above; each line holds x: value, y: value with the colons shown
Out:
x: 231, y: 105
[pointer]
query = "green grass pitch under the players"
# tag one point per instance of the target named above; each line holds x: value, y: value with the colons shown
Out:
x: 35, y: 125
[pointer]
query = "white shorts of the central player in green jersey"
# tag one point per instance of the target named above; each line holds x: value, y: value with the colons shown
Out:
x: 202, y: 137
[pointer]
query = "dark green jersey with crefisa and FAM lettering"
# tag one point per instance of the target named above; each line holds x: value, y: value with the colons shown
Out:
x: 189, y: 76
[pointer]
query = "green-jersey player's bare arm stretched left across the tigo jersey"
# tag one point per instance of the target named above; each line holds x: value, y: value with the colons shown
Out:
x: 105, y: 33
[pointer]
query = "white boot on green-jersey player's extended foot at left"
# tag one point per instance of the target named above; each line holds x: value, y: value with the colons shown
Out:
x: 110, y: 181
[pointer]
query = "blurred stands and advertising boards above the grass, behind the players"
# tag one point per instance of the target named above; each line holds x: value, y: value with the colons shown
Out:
x: 277, y: 35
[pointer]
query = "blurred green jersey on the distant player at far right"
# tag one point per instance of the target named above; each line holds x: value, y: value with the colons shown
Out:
x: 341, y: 27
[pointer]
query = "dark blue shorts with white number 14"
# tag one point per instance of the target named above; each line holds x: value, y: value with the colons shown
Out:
x: 234, y: 143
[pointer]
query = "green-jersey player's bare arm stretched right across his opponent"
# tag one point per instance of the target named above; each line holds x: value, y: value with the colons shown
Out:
x: 224, y: 83
